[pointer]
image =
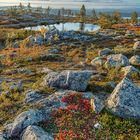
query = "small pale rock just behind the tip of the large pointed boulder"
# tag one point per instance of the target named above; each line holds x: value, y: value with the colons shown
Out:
x: 130, y: 71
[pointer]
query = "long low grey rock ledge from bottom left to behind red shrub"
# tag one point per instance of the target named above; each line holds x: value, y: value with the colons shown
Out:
x: 34, y: 117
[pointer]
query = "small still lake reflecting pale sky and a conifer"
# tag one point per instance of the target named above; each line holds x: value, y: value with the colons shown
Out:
x: 68, y: 27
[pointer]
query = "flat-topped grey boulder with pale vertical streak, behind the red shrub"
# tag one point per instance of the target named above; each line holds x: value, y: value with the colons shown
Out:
x: 71, y: 80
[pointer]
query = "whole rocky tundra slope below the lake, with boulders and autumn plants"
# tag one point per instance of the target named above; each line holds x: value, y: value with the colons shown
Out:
x: 67, y: 84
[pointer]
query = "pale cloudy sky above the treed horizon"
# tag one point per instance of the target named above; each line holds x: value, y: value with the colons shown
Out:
x: 78, y: 3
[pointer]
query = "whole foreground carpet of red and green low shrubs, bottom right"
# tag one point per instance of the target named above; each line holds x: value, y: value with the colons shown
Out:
x: 76, y: 122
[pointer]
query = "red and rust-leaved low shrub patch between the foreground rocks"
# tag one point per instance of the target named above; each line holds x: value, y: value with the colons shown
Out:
x: 74, y: 121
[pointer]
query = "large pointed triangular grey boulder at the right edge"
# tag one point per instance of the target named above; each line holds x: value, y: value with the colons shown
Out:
x: 125, y: 100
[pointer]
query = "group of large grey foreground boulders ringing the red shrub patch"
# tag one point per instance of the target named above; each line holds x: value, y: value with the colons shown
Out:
x: 124, y: 102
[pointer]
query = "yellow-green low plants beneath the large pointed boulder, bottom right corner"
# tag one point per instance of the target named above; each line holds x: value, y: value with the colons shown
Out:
x: 117, y: 128
